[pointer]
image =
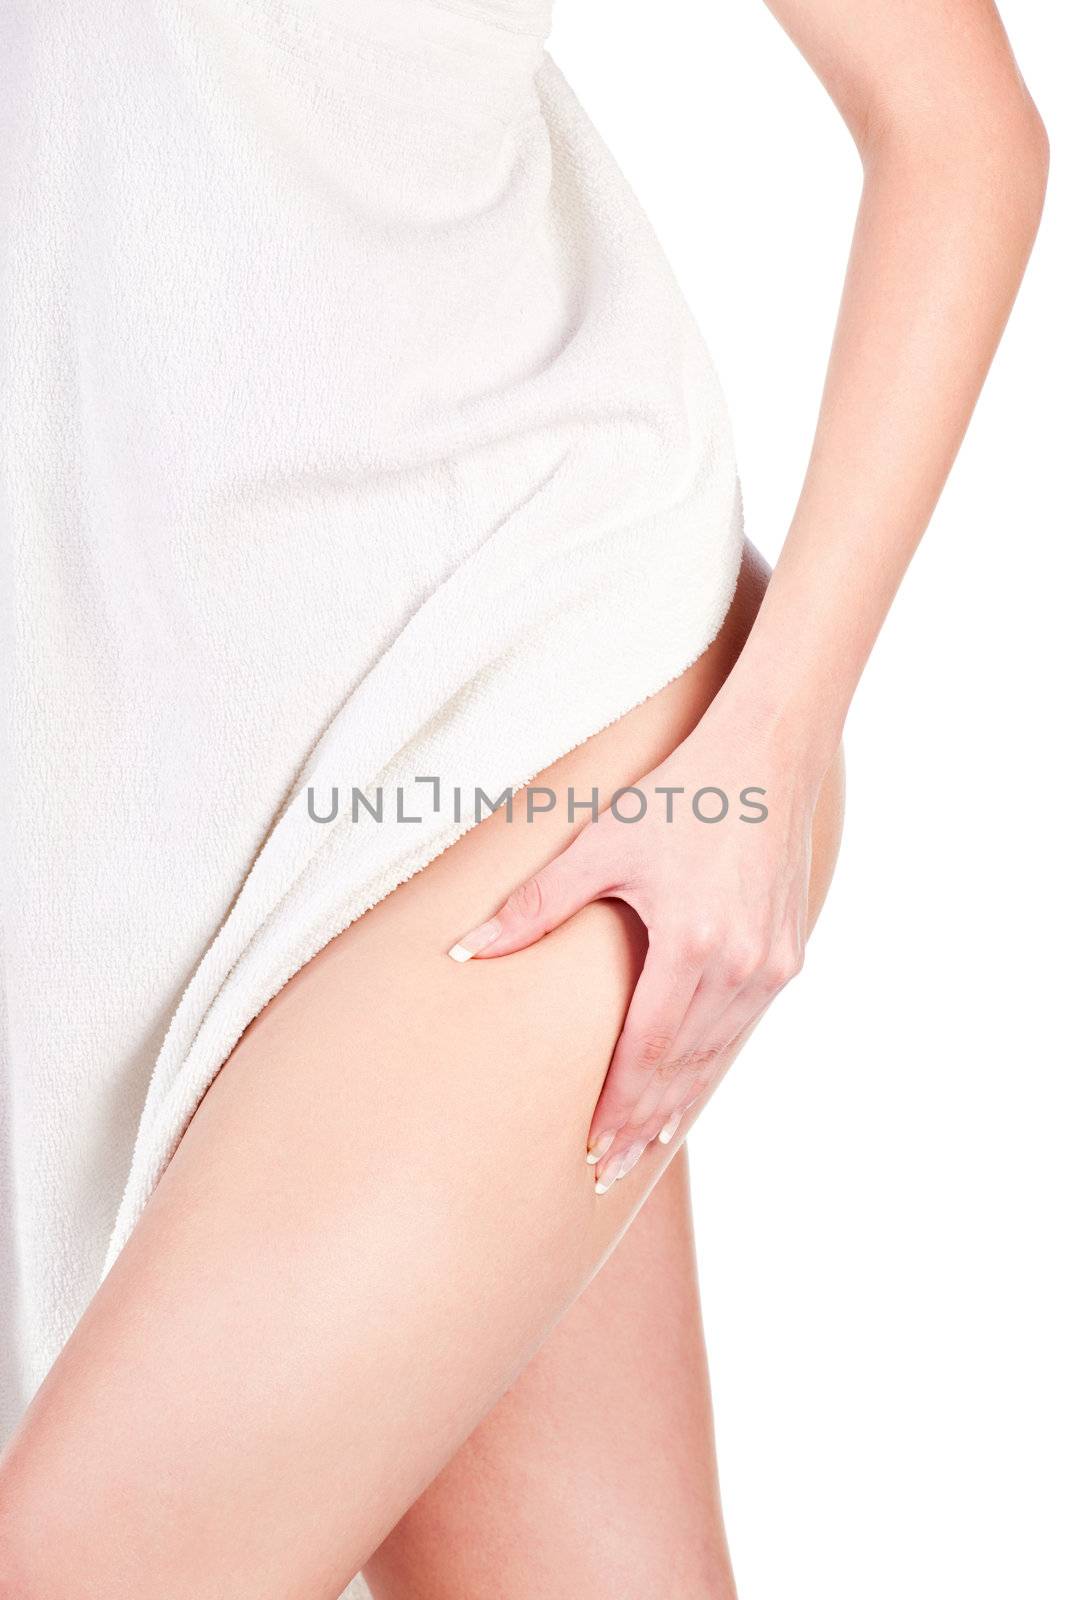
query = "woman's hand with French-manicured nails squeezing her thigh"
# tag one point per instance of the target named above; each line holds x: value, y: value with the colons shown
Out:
x: 725, y: 910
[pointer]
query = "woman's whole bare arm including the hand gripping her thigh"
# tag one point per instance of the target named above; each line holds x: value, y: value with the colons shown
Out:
x: 946, y: 223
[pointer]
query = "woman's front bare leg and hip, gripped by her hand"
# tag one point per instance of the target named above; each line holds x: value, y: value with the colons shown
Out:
x: 345, y: 1268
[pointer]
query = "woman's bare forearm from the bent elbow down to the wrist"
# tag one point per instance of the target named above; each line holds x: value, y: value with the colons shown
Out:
x: 946, y: 223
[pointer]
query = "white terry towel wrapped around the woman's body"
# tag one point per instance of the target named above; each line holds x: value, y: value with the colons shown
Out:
x: 353, y: 430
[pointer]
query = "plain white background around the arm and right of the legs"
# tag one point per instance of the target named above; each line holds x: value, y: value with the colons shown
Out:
x: 881, y: 1182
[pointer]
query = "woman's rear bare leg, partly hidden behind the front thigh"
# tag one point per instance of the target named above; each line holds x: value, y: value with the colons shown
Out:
x: 597, y: 1471
